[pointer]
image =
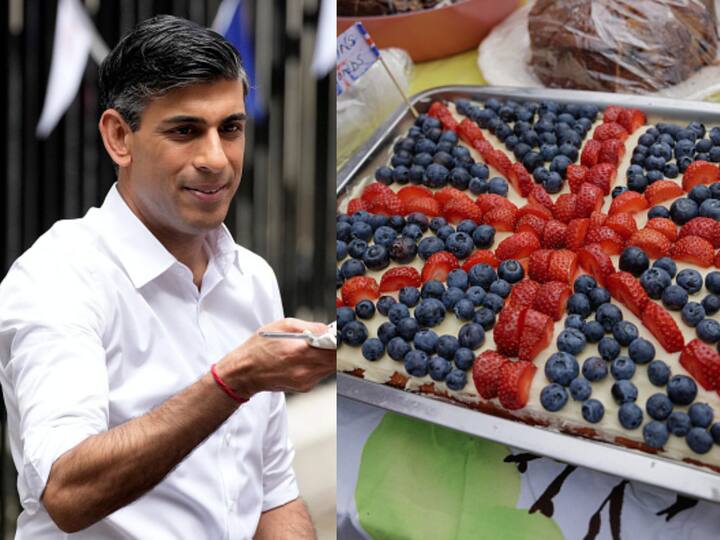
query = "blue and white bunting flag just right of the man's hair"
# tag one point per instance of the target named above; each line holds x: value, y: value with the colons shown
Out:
x: 231, y: 21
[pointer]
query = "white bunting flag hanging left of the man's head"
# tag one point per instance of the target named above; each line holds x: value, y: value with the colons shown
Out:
x: 75, y: 39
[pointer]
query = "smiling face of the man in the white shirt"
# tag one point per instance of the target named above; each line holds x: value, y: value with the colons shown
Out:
x: 187, y: 158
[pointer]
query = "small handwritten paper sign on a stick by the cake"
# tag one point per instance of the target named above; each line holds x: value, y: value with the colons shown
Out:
x: 356, y: 53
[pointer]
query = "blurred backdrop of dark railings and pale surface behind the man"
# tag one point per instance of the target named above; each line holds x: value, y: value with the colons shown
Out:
x: 284, y: 209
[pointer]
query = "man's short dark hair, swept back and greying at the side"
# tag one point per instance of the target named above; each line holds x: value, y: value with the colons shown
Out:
x: 159, y: 55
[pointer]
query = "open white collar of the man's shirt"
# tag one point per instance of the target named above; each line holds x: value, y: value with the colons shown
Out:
x: 141, y: 253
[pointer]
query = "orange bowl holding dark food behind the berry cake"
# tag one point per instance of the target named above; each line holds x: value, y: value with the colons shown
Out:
x: 435, y: 33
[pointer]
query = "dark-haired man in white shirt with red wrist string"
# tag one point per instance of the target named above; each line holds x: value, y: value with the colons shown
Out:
x: 141, y: 401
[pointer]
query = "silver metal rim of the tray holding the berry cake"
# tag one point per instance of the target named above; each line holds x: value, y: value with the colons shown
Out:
x: 609, y: 458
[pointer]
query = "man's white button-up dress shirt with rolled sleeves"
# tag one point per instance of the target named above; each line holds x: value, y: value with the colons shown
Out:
x: 99, y: 324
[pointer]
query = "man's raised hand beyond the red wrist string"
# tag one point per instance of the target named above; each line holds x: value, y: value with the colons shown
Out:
x: 275, y: 364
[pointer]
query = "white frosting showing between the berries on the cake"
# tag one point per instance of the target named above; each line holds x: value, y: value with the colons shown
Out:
x: 569, y: 416
